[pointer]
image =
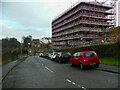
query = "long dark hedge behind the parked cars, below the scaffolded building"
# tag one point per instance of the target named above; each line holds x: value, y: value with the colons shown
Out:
x: 103, y: 50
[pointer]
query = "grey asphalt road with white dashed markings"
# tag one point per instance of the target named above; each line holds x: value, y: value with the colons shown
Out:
x: 37, y: 72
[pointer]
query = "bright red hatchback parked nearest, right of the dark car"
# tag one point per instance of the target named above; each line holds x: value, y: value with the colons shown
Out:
x: 85, y: 58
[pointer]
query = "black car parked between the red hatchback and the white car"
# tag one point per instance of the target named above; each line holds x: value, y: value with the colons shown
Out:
x: 63, y: 57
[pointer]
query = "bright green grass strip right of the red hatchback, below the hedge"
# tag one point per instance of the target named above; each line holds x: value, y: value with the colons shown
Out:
x: 109, y: 61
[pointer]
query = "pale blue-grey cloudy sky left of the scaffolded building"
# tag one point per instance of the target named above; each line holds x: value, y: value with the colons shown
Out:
x: 30, y: 17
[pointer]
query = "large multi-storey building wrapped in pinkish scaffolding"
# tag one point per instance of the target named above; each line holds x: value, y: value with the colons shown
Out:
x: 80, y: 24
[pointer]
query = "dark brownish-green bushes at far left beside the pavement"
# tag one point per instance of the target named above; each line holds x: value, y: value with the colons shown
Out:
x: 10, y: 49
